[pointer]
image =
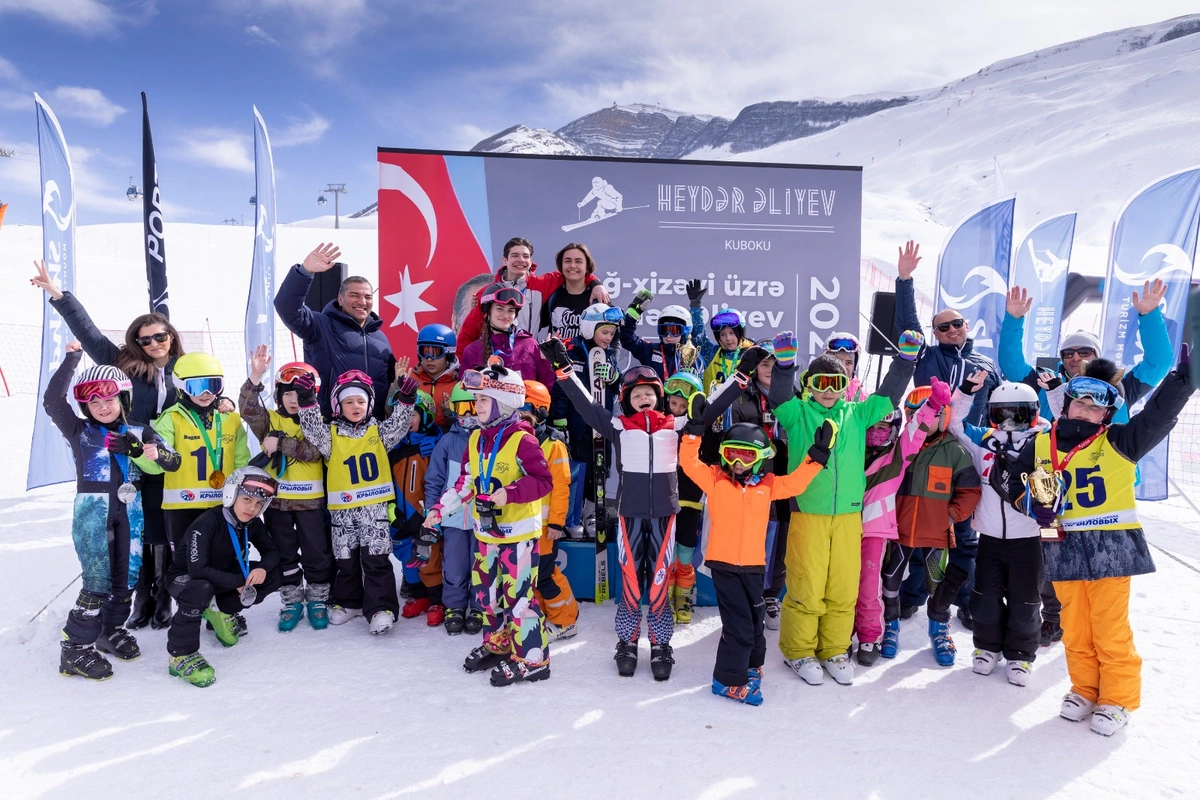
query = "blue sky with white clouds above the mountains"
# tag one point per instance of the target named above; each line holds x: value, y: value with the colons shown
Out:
x: 337, y: 79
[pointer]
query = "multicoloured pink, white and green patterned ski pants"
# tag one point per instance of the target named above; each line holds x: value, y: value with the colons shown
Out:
x: 503, y: 581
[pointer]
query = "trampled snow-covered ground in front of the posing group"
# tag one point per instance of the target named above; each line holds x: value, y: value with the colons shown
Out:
x: 344, y: 714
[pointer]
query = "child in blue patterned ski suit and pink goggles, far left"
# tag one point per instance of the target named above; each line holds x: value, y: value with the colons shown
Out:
x: 111, y: 456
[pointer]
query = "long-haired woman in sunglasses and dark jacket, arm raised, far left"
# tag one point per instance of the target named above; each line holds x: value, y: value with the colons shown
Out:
x: 147, y: 358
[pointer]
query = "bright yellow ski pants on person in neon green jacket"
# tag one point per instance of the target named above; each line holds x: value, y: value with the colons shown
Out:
x: 824, y: 562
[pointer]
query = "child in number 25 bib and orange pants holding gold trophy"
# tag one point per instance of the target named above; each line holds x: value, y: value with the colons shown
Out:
x: 1105, y: 545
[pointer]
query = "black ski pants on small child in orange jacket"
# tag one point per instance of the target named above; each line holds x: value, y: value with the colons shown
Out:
x: 743, y: 610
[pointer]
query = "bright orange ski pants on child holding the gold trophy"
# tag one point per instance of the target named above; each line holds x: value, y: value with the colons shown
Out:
x: 1103, y: 665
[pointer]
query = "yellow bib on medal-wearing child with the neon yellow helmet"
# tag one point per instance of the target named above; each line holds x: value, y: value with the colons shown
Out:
x: 188, y: 488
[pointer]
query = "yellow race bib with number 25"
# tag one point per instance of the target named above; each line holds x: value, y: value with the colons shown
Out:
x: 1100, y: 486
